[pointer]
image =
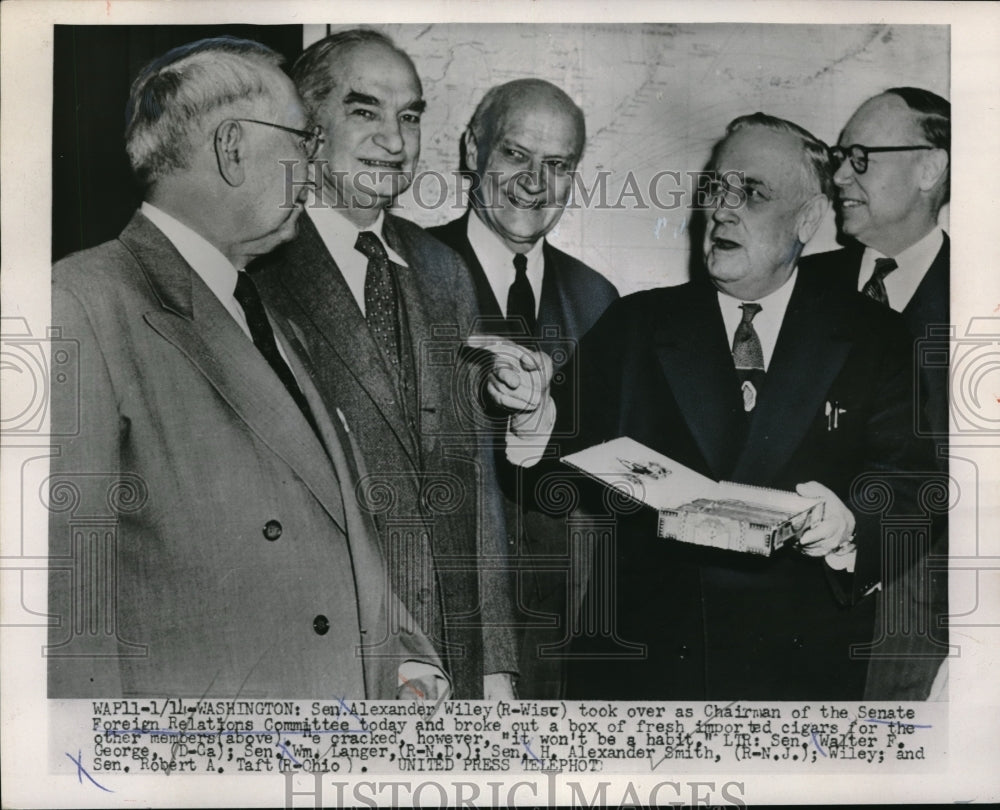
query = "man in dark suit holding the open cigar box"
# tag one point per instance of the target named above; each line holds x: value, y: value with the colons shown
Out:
x: 734, y: 375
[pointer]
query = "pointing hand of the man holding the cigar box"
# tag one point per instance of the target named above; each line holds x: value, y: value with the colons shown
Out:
x: 519, y: 378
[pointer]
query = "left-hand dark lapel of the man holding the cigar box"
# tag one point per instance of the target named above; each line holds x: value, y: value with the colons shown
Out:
x: 694, y: 354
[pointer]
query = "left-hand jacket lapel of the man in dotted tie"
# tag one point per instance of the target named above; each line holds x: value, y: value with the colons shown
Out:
x: 313, y: 279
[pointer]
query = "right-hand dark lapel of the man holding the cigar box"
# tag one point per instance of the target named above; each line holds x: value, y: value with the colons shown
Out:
x: 813, y: 344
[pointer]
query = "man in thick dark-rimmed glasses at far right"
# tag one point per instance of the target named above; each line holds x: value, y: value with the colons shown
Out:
x: 892, y: 175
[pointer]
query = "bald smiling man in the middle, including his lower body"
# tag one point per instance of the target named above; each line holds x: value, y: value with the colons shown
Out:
x: 521, y: 148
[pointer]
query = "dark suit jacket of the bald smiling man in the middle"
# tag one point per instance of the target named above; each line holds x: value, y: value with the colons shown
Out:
x: 573, y: 297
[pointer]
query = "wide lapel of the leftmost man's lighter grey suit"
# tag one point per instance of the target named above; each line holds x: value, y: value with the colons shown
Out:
x: 196, y: 323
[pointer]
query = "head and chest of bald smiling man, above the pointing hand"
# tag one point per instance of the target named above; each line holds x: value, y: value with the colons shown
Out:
x: 521, y: 148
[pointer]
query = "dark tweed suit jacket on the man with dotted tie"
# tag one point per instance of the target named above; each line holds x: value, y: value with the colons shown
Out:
x: 431, y: 487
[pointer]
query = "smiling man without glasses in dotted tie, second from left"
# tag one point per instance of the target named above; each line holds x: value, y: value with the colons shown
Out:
x: 383, y: 306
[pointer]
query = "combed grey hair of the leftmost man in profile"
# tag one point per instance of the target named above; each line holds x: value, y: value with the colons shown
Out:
x: 173, y: 95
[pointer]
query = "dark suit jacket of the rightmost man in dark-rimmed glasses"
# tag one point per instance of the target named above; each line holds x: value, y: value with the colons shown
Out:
x: 907, y: 660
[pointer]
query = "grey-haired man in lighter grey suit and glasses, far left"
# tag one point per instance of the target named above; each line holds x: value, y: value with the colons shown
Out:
x: 205, y: 535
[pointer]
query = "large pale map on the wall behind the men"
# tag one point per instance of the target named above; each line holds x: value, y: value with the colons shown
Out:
x: 656, y: 97
